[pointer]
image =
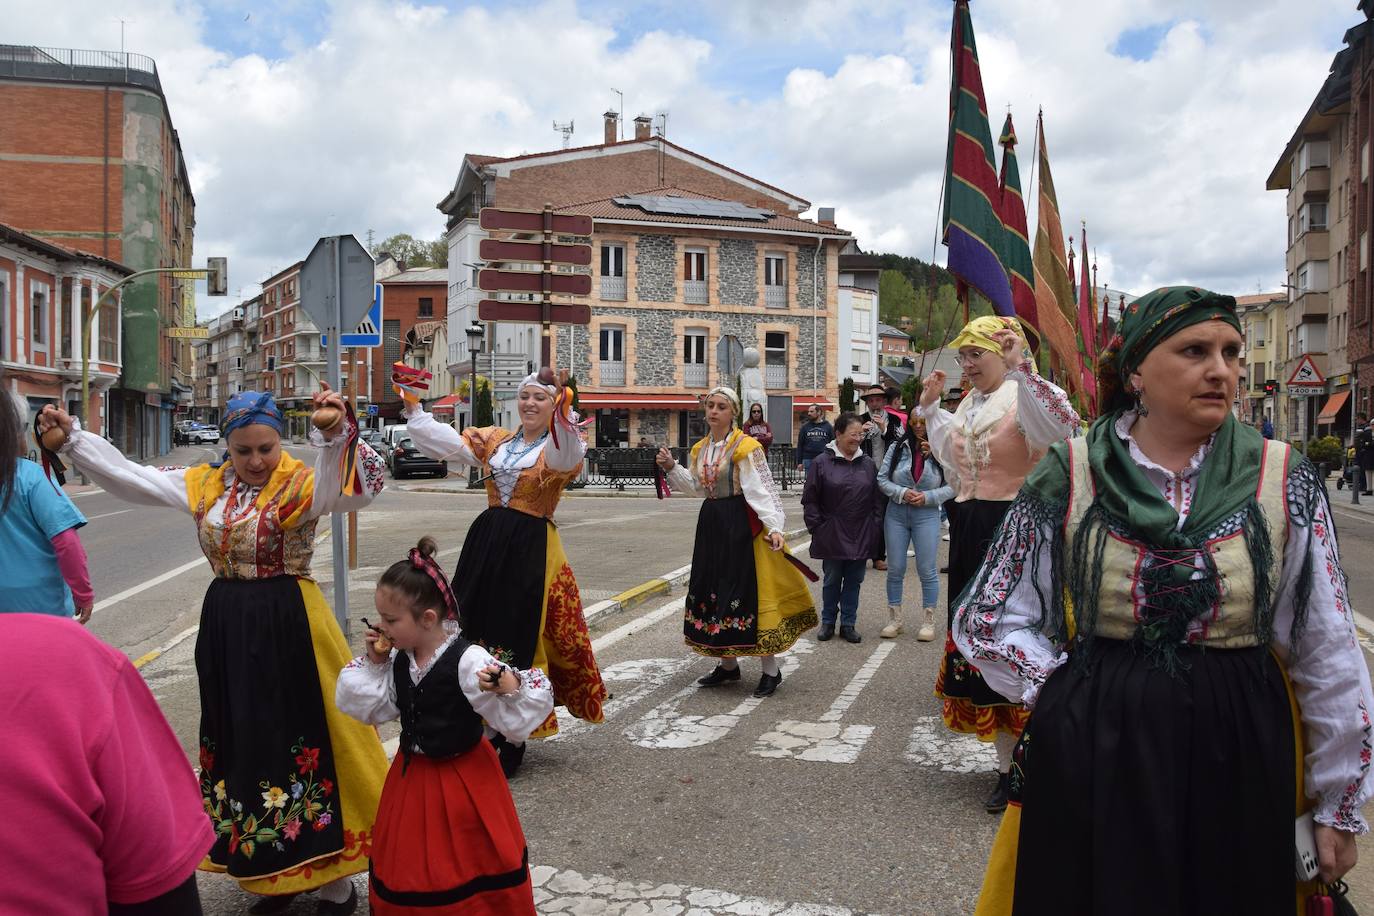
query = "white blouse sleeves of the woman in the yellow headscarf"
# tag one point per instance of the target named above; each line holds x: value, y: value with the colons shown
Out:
x: 1044, y: 415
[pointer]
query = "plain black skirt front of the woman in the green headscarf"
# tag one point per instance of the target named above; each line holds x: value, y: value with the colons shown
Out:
x: 1145, y: 793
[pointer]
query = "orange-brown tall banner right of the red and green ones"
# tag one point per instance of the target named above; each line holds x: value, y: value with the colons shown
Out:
x: 1053, y: 285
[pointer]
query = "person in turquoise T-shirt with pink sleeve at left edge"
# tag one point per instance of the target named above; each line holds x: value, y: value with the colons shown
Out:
x: 43, y: 566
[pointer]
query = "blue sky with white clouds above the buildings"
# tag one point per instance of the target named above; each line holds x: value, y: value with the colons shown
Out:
x: 1163, y: 117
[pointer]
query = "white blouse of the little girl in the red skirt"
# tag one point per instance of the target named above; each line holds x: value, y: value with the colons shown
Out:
x: 368, y: 691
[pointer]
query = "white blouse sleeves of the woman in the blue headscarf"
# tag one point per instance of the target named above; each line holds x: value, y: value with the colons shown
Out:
x: 145, y: 485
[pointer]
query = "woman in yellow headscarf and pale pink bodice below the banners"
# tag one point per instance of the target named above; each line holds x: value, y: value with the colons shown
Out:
x: 987, y: 447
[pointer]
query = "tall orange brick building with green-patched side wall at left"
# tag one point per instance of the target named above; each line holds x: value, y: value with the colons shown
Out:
x: 90, y: 161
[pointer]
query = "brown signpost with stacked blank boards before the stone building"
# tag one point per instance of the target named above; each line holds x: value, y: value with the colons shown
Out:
x: 546, y: 282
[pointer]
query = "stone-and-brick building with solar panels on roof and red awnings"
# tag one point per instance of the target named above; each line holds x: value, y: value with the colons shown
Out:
x: 693, y: 263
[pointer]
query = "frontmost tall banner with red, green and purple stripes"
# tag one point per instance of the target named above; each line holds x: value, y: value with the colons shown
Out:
x: 973, y: 227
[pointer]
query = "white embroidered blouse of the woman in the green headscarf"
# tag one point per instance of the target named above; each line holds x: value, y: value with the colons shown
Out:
x: 998, y: 634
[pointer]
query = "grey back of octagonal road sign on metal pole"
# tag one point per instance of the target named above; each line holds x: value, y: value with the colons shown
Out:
x: 337, y: 292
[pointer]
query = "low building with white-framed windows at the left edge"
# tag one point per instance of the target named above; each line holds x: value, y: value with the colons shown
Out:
x: 45, y: 288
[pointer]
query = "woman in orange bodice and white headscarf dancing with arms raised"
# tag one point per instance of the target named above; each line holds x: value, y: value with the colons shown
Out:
x: 517, y: 597
